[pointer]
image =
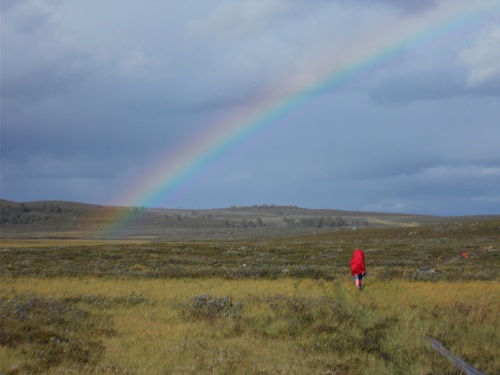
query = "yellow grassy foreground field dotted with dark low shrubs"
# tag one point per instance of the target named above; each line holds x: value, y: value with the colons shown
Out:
x: 286, y: 326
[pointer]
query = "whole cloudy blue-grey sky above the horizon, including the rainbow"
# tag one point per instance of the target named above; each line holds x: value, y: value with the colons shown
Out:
x: 380, y: 105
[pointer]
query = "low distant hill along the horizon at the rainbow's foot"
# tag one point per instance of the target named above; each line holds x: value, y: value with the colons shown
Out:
x: 62, y: 219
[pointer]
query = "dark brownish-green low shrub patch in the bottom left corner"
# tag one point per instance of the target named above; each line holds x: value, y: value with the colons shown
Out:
x: 49, y: 332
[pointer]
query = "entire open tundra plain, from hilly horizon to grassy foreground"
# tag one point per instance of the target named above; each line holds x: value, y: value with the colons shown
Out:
x: 245, y: 290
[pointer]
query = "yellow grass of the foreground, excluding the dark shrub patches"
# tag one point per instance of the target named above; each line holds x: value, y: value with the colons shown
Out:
x: 154, y: 337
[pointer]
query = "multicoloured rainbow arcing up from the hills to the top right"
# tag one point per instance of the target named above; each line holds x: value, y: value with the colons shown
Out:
x: 173, y: 171
